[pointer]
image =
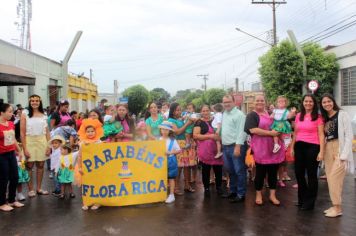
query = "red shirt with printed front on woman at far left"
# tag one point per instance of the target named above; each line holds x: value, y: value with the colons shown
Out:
x: 7, y: 138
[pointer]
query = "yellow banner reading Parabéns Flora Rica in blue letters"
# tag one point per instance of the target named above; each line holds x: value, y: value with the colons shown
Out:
x: 124, y: 173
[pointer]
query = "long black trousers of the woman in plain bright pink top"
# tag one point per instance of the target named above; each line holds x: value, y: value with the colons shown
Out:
x: 305, y: 162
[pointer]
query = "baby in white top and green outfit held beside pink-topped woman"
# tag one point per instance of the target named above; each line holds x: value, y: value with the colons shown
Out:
x: 281, y: 123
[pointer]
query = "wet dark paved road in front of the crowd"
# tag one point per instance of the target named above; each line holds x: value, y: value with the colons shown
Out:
x: 191, y: 214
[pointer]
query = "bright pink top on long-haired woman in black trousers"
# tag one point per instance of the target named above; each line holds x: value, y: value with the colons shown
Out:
x: 307, y: 130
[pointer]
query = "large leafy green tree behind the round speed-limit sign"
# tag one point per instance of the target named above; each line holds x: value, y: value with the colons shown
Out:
x: 281, y: 71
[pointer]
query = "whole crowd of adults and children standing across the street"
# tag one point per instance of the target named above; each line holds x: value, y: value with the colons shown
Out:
x: 216, y: 138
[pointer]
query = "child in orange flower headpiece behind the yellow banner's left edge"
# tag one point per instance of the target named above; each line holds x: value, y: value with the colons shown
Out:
x: 91, y: 131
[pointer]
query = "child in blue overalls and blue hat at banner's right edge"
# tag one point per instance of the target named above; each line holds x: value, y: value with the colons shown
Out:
x: 172, y: 148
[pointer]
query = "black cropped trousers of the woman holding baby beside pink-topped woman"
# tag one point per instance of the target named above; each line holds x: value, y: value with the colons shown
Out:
x: 261, y: 171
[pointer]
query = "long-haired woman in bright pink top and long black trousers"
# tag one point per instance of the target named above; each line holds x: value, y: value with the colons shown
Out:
x: 308, y: 147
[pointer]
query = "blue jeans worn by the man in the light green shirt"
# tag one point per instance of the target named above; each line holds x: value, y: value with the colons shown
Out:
x: 236, y: 168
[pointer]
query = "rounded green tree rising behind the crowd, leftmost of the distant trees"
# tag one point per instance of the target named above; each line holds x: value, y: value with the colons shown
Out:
x: 138, y: 98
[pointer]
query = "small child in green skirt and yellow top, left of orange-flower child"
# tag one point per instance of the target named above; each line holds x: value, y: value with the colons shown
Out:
x: 65, y: 170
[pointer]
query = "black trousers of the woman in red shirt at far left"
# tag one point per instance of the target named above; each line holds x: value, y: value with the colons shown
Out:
x: 9, y: 175
